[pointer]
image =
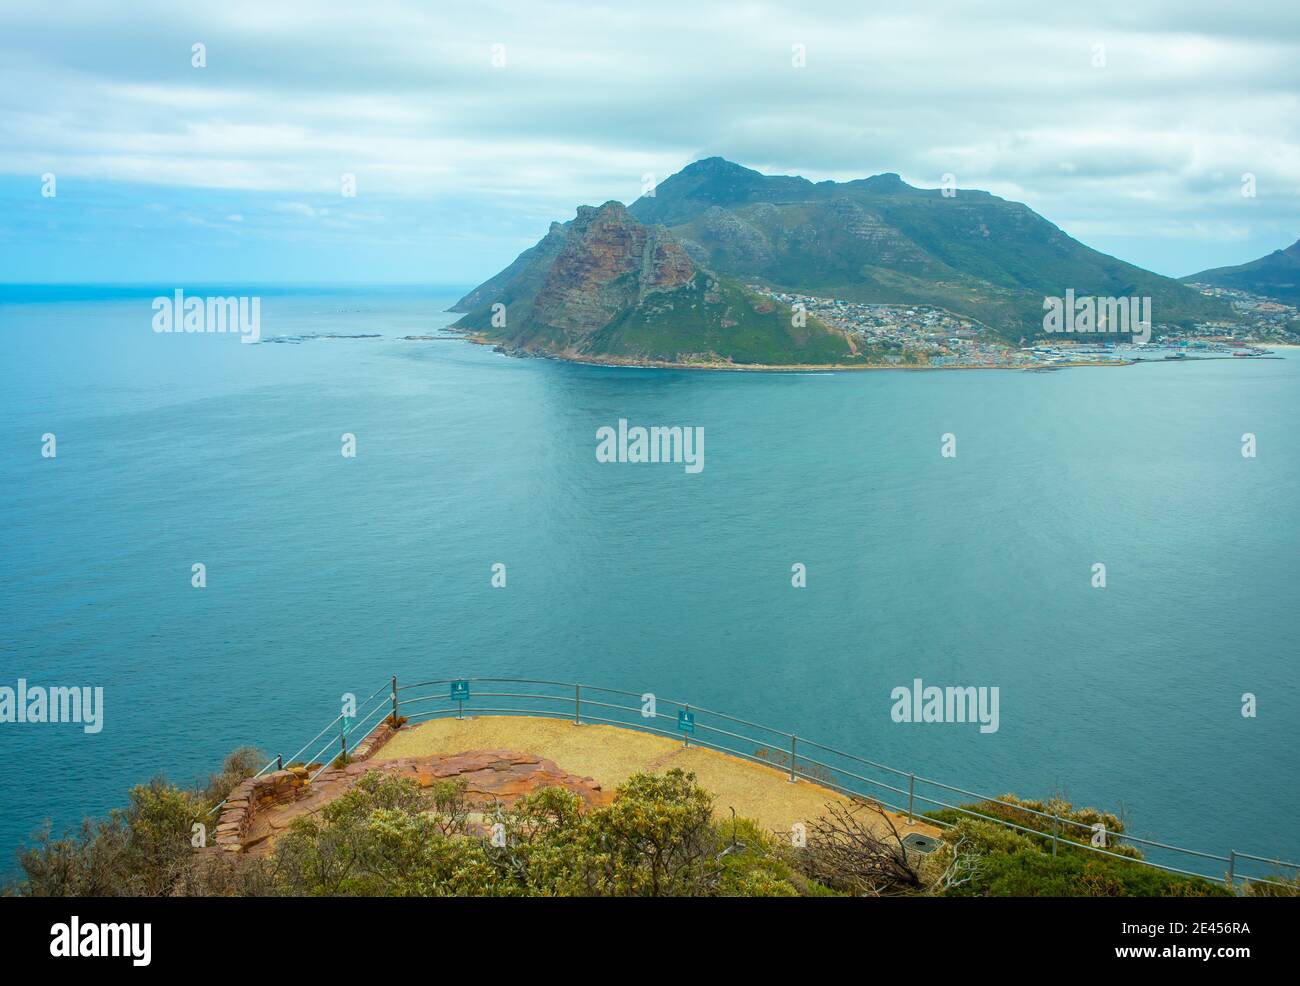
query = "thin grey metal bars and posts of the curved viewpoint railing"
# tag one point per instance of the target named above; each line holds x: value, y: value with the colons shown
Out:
x: 574, y: 702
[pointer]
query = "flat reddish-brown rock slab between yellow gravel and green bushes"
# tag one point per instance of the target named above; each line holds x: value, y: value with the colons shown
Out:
x: 491, y: 776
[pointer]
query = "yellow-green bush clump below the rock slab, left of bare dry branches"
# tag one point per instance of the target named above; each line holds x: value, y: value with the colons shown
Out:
x: 388, y: 838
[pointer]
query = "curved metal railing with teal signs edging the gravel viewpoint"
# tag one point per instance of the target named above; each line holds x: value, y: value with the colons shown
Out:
x: 834, y: 769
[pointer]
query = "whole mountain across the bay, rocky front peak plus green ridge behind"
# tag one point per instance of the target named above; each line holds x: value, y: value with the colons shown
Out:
x: 669, y: 278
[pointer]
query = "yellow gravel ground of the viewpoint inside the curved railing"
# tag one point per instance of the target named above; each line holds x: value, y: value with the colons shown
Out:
x: 612, y: 754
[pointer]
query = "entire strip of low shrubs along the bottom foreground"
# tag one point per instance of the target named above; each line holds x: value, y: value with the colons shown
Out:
x: 660, y: 837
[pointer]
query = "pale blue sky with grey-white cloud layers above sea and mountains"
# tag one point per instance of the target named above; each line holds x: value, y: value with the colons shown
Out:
x: 1128, y: 124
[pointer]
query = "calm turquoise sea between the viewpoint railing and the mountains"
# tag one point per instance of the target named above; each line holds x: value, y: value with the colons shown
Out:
x: 330, y: 574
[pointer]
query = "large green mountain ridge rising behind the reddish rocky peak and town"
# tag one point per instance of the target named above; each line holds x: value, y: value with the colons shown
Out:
x: 881, y: 240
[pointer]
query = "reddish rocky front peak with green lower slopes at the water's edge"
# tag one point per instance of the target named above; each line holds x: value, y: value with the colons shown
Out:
x: 606, y: 287
